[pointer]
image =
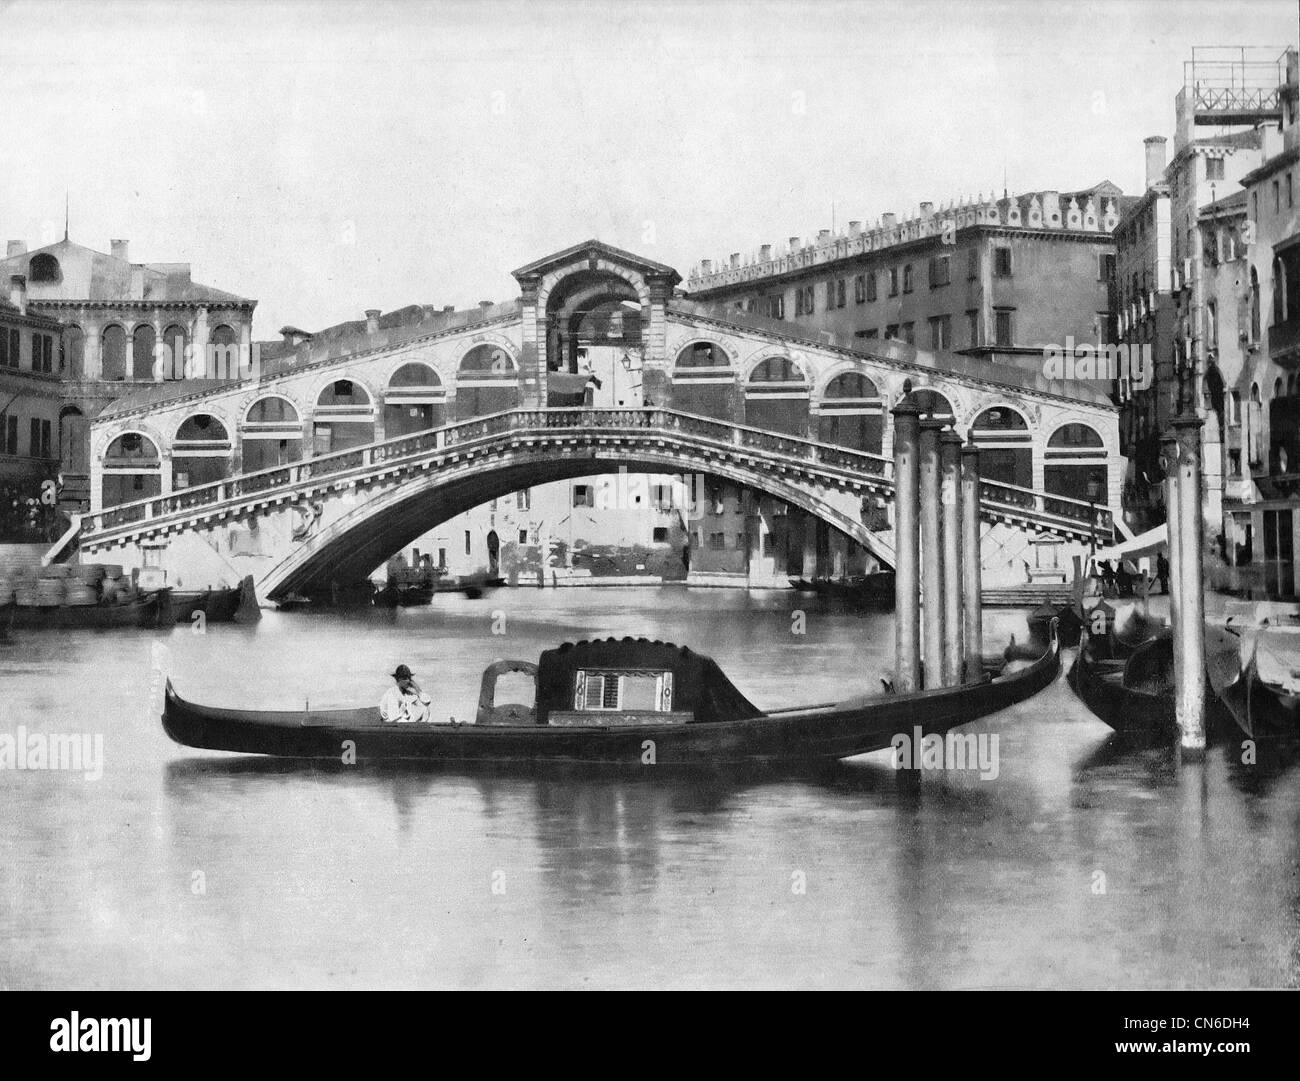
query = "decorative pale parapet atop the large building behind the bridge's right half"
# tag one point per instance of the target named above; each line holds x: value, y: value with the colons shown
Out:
x: 1032, y: 211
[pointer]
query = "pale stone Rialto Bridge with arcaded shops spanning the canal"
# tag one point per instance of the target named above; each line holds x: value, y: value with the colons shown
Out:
x: 361, y: 440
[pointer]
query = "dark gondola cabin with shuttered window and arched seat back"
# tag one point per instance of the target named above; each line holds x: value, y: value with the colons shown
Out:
x: 613, y: 684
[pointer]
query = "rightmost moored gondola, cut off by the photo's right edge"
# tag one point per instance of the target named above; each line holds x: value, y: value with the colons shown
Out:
x: 1266, y: 705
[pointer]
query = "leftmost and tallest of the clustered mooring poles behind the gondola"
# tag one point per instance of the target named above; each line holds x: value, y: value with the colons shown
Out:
x: 907, y: 548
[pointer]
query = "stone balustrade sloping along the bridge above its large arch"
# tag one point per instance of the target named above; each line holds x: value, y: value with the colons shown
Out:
x: 466, y: 435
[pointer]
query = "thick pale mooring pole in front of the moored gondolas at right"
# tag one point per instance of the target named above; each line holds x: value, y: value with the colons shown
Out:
x: 1190, y: 626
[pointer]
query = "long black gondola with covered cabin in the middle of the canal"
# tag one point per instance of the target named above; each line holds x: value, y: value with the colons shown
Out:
x: 629, y: 702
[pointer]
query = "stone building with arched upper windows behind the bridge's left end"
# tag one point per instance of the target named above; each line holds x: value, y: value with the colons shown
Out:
x: 115, y: 315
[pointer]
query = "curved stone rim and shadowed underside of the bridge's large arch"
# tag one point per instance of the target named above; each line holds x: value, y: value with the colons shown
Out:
x: 380, y: 523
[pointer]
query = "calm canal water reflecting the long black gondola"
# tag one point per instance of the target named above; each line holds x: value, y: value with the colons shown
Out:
x: 1080, y: 865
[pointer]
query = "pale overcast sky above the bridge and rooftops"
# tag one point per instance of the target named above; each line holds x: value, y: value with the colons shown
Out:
x: 328, y: 158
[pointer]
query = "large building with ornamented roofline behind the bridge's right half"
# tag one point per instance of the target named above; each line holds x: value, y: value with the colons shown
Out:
x: 993, y: 279
